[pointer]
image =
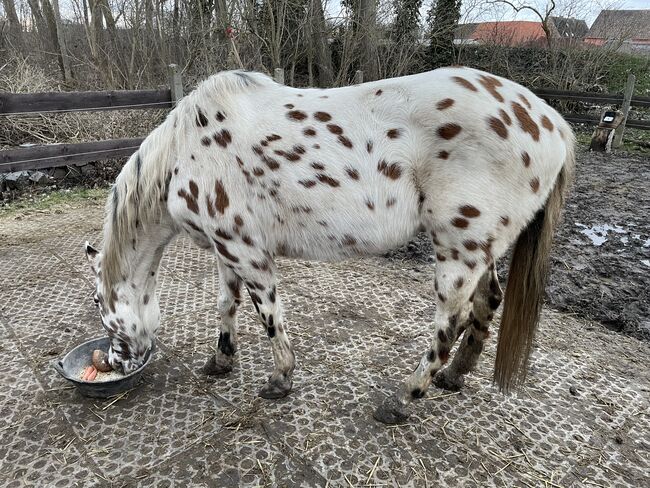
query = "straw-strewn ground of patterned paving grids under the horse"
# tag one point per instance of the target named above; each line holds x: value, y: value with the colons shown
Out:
x: 357, y: 327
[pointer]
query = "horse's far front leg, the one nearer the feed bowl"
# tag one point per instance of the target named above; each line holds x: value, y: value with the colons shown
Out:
x: 229, y: 299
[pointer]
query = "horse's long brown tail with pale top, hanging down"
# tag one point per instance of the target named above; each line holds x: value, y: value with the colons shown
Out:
x: 526, y: 283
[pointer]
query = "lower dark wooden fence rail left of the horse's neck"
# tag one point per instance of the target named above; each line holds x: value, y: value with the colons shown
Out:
x: 54, y: 155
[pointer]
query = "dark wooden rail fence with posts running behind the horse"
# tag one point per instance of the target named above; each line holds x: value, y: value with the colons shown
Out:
x: 54, y: 155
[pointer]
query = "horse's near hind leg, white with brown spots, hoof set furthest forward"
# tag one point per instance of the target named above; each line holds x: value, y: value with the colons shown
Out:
x: 455, y: 282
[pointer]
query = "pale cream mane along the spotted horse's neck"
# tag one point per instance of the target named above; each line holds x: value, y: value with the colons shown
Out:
x: 137, y: 197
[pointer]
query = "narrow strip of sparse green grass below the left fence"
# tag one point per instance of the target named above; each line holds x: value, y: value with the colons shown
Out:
x: 52, y: 200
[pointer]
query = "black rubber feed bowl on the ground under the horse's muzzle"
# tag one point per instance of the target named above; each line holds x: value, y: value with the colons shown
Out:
x: 71, y: 366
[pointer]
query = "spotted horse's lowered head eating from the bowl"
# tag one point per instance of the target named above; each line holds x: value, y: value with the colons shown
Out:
x: 129, y: 311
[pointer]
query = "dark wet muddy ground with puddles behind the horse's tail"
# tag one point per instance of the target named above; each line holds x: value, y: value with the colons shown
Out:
x: 601, y: 258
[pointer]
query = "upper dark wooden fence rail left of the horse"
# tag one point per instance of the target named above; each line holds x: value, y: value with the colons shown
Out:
x: 83, y: 101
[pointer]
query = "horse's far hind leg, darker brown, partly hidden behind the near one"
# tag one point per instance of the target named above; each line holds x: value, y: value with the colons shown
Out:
x: 487, y: 299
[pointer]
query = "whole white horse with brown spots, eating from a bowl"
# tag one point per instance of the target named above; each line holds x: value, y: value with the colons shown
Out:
x: 252, y: 170
